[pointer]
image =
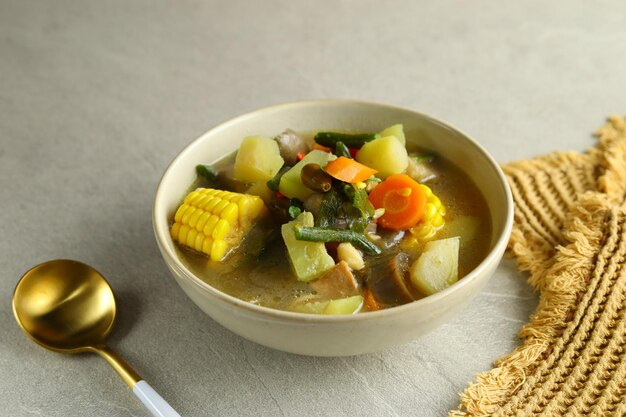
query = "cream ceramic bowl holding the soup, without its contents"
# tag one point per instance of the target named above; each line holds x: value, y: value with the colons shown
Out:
x: 334, y: 335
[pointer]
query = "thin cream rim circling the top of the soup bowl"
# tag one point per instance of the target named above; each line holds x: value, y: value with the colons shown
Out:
x: 174, y: 262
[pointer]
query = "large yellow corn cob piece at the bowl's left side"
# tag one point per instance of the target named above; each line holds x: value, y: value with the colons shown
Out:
x: 215, y: 221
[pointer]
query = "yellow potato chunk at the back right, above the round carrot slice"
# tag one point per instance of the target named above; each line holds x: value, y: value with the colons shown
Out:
x: 386, y: 155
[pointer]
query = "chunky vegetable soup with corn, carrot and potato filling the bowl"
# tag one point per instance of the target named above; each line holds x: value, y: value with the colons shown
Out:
x: 331, y: 222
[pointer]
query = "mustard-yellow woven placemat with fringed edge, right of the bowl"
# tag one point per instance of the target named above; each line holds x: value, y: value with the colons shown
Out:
x: 569, y: 234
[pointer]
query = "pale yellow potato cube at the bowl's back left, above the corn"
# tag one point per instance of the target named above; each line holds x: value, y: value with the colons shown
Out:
x: 257, y: 160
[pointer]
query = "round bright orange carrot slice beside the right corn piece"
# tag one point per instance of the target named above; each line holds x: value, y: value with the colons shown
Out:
x: 402, y: 198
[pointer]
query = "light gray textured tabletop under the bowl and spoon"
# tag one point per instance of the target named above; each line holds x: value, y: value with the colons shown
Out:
x: 97, y: 97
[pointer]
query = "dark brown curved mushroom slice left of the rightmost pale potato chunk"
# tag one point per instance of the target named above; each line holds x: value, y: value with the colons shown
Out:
x: 388, y: 279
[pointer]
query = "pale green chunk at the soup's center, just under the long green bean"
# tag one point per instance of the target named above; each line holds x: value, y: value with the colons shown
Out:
x: 309, y: 260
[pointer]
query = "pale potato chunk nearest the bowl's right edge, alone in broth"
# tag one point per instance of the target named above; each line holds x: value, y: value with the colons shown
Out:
x: 437, y: 267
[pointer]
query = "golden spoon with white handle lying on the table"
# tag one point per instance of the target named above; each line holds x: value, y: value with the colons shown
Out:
x: 68, y: 307
